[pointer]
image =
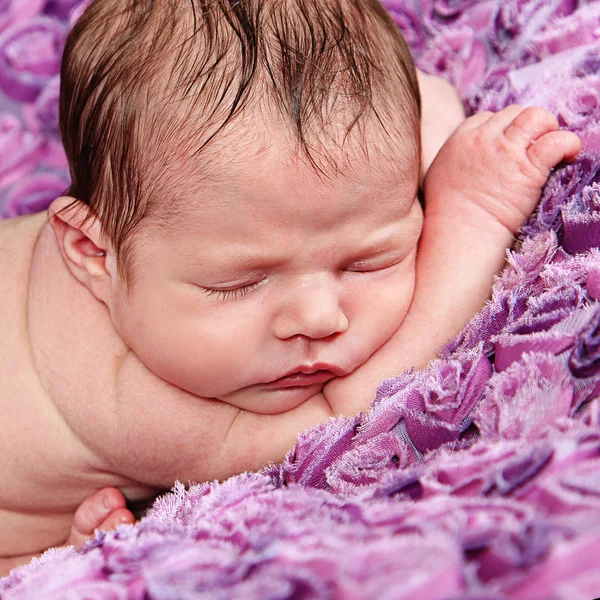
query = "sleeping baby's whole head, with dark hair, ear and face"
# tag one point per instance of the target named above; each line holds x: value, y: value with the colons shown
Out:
x: 246, y: 175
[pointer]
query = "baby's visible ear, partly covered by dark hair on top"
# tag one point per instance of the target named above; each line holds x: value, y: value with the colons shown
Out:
x: 87, y: 252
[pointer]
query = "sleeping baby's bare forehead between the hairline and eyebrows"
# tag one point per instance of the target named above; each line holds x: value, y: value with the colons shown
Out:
x: 260, y: 177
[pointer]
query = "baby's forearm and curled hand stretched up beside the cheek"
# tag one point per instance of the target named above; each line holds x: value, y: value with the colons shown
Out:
x: 483, y: 185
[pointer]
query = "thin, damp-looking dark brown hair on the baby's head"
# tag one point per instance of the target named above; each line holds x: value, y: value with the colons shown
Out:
x: 147, y: 85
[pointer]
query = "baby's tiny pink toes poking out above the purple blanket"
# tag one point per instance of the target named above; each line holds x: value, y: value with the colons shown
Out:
x: 105, y: 510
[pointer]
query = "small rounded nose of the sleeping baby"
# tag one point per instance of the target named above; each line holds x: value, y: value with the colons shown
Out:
x: 312, y: 310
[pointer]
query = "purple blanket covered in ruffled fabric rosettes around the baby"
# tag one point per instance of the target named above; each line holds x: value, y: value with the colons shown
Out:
x: 477, y: 478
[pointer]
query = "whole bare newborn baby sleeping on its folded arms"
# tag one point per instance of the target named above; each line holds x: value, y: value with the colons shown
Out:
x: 236, y: 259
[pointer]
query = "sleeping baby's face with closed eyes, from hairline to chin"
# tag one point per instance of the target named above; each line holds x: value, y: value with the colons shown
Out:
x: 272, y: 281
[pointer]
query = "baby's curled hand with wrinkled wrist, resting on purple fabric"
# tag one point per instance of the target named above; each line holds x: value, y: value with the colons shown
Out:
x: 495, y: 165
